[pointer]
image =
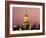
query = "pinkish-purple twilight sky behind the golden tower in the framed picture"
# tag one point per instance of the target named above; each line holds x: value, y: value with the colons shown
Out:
x: 19, y: 13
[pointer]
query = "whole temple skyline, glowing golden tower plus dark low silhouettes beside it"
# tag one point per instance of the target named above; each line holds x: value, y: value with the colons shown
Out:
x: 27, y: 24
